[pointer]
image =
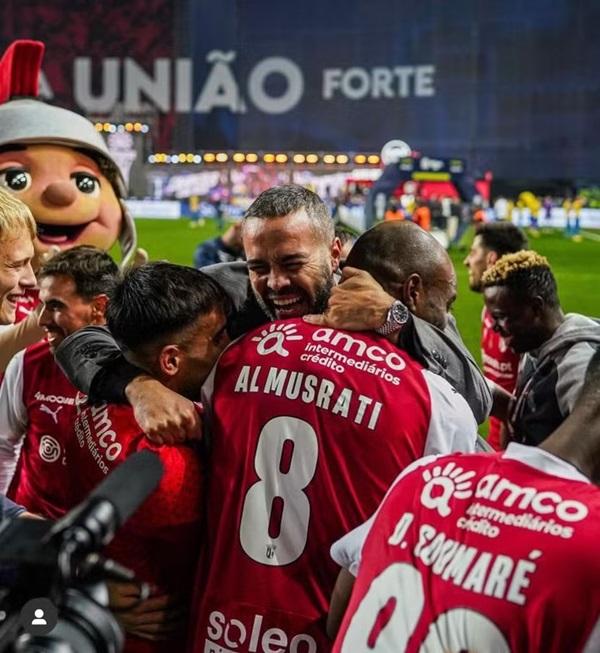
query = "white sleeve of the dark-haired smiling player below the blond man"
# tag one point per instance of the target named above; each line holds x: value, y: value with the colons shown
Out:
x: 13, y: 420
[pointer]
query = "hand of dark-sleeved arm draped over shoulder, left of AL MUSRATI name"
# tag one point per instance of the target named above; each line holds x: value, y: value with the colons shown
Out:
x: 165, y: 416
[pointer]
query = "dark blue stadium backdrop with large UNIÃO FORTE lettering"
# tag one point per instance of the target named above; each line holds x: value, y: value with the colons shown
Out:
x: 507, y: 86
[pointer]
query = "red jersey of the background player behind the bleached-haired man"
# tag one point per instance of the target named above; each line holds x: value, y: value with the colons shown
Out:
x: 500, y: 365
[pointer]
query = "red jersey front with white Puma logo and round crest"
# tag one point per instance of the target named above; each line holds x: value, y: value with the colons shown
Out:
x: 46, y: 398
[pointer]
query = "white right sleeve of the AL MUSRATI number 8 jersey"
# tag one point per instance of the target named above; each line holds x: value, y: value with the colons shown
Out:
x: 452, y: 426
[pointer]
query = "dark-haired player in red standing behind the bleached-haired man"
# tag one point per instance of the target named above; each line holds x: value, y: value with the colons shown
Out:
x: 500, y: 363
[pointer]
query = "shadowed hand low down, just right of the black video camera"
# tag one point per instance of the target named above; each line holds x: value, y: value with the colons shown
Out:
x: 158, y: 617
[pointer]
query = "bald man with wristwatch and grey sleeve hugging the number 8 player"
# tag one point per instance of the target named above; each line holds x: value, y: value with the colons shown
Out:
x: 397, y: 264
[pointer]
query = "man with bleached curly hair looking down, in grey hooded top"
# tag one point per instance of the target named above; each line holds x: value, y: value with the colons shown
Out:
x: 521, y: 296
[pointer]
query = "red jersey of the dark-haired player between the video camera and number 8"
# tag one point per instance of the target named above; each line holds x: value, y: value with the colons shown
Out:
x: 160, y: 542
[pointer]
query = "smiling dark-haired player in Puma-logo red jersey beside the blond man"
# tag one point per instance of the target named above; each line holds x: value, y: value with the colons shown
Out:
x: 37, y: 402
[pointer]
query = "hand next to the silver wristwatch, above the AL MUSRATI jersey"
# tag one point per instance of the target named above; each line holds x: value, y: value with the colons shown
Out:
x: 358, y: 303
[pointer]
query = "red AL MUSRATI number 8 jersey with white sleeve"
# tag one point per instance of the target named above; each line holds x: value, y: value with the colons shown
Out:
x: 309, y: 427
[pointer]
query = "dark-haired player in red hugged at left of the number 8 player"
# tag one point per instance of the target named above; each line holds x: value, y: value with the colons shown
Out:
x: 171, y: 320
